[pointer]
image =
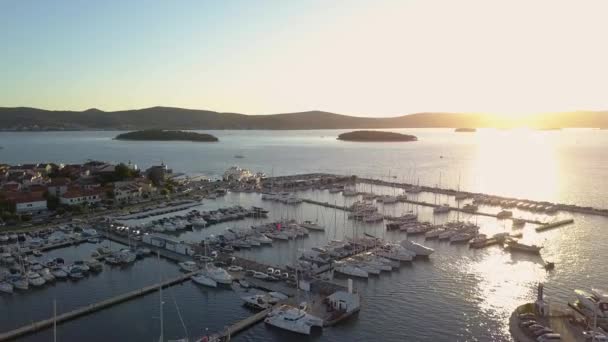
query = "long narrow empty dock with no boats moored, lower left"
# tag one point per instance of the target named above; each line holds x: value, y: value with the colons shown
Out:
x: 91, y: 308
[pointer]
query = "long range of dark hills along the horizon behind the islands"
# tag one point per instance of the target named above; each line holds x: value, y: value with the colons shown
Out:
x: 178, y: 118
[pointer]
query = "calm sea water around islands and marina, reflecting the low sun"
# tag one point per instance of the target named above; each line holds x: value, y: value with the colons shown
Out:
x: 458, y: 294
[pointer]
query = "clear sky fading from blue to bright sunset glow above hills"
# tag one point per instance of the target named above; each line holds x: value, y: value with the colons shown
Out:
x: 366, y: 58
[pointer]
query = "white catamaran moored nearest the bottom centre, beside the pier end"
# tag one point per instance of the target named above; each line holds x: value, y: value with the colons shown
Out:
x: 293, y: 319
